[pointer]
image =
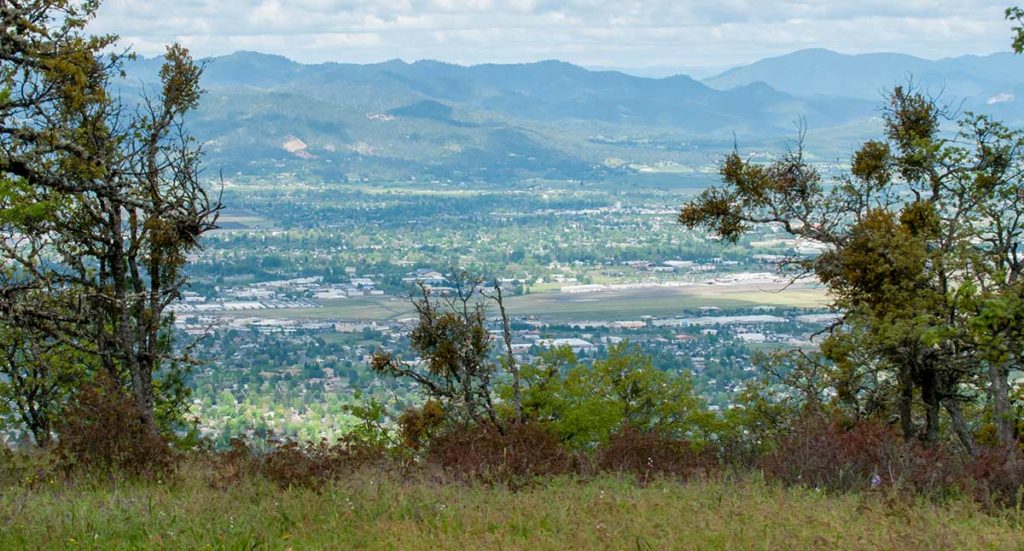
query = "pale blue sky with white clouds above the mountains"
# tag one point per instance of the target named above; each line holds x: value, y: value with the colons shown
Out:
x: 653, y: 35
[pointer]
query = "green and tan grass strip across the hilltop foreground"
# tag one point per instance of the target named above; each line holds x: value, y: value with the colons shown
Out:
x: 375, y: 512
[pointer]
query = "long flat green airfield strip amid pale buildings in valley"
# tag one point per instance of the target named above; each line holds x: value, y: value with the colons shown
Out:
x: 611, y: 306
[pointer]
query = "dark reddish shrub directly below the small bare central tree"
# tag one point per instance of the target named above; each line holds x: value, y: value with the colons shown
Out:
x: 485, y: 454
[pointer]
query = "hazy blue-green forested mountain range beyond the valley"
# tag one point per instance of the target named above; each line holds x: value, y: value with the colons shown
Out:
x: 266, y: 115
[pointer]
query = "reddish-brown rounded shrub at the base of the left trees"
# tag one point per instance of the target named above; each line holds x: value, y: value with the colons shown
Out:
x: 104, y: 432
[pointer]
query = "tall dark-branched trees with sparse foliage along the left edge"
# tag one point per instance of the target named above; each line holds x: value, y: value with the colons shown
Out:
x: 101, y: 207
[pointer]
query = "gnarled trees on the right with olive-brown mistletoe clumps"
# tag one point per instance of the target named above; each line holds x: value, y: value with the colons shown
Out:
x: 921, y: 225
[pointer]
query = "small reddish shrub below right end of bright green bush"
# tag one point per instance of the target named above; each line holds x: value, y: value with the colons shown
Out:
x: 649, y: 453
